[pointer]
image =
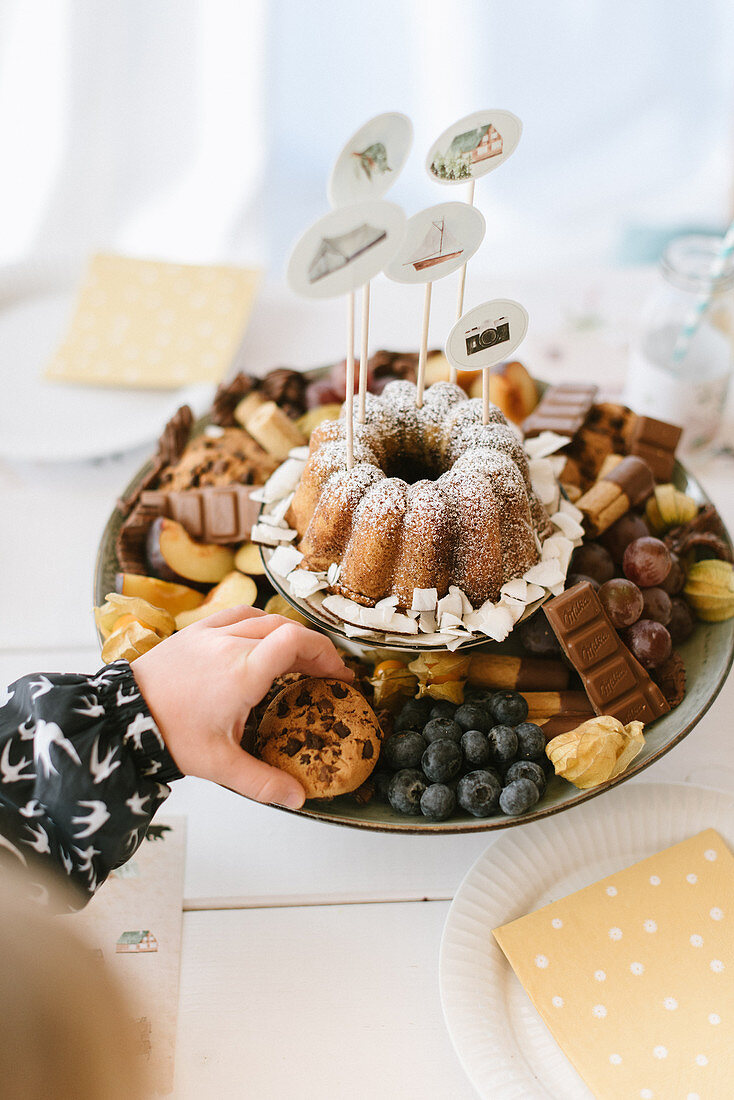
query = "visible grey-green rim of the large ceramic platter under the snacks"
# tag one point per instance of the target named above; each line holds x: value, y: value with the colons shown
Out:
x: 708, y: 656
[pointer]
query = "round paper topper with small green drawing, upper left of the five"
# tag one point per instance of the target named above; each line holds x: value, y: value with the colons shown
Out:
x: 373, y: 160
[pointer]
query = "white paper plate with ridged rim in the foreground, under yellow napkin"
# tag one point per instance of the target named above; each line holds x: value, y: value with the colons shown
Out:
x: 503, y: 1044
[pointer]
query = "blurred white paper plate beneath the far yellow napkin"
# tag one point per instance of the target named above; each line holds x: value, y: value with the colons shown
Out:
x: 50, y: 422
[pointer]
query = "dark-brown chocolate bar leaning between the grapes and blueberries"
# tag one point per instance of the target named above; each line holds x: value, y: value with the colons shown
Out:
x: 615, y: 681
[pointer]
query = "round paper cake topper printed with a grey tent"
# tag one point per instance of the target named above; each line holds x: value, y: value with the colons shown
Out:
x: 345, y: 249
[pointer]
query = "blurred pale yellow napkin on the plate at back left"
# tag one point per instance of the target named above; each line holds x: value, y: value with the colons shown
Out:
x: 149, y: 325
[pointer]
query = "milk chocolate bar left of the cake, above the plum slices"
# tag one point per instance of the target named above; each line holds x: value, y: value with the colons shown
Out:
x: 216, y: 514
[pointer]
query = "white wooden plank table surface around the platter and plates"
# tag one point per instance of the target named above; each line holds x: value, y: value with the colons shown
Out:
x: 311, y: 952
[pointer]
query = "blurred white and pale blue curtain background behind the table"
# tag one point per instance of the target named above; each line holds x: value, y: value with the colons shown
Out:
x: 205, y: 130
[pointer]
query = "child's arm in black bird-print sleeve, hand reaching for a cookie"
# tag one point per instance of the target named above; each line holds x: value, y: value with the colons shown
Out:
x: 85, y: 762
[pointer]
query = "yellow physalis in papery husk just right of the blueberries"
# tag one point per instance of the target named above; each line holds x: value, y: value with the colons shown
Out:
x: 596, y: 752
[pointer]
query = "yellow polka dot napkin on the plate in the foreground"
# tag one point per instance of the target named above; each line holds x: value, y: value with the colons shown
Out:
x: 634, y: 975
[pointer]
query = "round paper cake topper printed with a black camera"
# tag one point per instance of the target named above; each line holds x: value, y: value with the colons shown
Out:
x: 487, y: 335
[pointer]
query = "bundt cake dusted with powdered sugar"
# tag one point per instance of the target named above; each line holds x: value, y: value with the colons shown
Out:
x: 434, y: 499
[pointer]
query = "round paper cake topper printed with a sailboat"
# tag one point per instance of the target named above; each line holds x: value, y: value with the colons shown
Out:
x: 436, y: 243
